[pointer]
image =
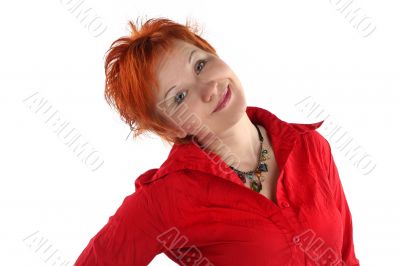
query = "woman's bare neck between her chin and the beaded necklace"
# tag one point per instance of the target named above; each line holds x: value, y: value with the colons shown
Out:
x: 238, y: 146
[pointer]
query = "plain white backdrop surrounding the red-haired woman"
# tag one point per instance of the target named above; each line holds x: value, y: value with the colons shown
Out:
x: 282, y: 51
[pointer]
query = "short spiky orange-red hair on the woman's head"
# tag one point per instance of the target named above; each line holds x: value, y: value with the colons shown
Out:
x: 130, y: 66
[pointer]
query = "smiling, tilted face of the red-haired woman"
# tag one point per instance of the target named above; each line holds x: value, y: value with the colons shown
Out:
x: 192, y: 83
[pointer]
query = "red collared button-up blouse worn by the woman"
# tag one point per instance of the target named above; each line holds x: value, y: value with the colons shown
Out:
x: 197, y: 211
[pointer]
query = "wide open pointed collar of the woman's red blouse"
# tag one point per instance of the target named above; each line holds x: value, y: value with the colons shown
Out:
x: 283, y: 137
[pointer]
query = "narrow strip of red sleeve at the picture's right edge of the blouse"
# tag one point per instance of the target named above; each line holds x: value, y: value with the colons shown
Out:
x: 348, y: 254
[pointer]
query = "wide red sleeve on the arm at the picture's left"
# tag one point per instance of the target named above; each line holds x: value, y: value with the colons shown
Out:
x: 128, y: 238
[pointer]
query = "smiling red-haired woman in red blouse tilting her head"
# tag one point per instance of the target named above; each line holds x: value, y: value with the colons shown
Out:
x: 239, y: 187
